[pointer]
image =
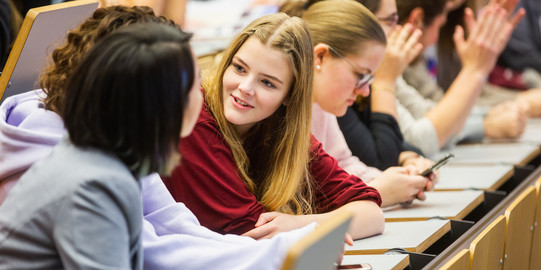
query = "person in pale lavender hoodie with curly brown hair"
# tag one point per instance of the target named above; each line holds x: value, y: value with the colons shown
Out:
x: 172, y: 236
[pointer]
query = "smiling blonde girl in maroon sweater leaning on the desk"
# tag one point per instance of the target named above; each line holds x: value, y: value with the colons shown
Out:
x: 251, y: 151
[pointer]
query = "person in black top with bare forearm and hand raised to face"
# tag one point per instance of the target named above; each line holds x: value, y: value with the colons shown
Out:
x: 370, y: 126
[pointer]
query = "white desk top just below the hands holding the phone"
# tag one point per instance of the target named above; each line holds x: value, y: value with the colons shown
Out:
x: 447, y: 204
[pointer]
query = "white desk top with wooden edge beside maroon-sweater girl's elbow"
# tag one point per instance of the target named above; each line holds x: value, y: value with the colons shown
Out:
x: 414, y: 236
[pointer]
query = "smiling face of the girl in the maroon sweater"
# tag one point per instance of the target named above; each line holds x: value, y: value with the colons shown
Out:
x: 255, y: 84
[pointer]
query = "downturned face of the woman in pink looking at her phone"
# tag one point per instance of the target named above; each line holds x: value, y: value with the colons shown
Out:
x: 335, y: 79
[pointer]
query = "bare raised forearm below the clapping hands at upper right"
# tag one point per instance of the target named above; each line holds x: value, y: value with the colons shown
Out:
x: 449, y: 115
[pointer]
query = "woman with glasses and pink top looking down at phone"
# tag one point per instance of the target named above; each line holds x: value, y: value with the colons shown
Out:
x: 348, y: 48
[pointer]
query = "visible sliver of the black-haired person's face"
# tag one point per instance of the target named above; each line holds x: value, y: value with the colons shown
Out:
x: 191, y: 113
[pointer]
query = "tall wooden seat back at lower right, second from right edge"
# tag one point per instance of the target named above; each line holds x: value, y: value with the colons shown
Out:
x: 518, y: 238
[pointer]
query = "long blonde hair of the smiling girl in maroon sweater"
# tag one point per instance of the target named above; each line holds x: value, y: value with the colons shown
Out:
x: 278, y: 174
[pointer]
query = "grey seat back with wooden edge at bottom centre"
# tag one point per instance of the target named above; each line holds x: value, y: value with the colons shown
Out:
x: 321, y: 248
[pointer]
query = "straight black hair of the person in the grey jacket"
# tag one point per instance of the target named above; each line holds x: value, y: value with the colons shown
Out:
x: 127, y: 96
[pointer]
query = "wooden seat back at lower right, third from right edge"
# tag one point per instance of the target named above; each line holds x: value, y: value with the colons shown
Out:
x: 486, y: 250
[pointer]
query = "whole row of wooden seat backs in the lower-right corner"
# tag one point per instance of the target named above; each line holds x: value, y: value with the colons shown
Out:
x: 511, y: 241
